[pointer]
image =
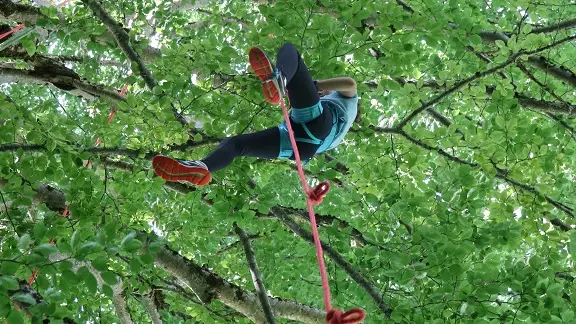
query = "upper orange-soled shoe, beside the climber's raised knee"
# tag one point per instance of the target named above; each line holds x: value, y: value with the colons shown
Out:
x: 273, y: 82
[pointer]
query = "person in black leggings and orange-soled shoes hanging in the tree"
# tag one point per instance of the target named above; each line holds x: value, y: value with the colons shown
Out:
x: 322, y: 113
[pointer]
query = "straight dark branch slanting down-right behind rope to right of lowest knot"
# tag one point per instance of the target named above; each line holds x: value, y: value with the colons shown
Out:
x: 337, y: 258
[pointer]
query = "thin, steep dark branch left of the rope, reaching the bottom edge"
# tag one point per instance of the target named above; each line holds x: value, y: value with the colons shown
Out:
x: 256, y: 275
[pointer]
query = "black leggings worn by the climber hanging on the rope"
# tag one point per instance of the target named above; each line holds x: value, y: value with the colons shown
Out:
x: 266, y: 144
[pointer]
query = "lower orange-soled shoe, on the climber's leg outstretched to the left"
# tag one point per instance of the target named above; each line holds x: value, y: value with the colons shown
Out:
x: 195, y: 172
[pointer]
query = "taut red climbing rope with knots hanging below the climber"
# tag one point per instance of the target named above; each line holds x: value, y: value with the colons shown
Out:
x: 314, y: 197
